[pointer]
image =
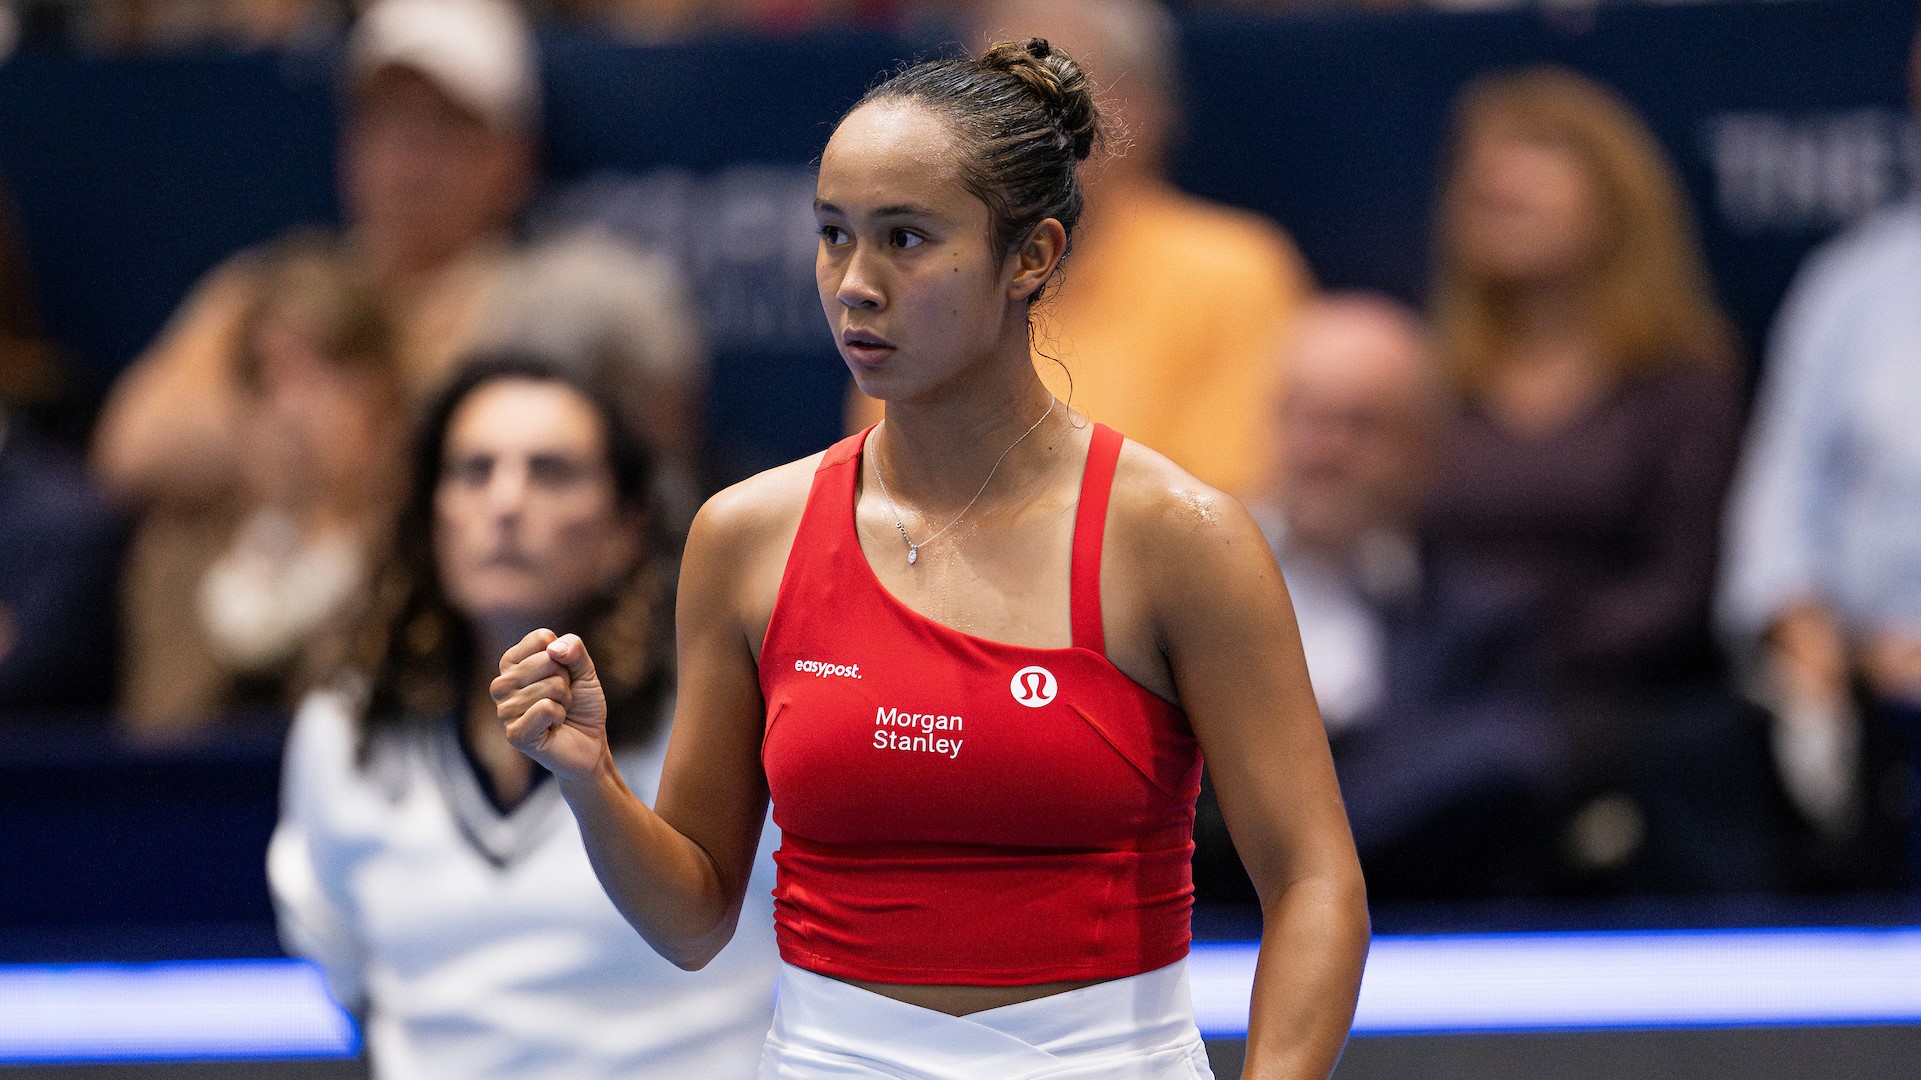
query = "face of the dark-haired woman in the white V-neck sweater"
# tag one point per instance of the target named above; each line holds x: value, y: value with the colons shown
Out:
x: 527, y: 522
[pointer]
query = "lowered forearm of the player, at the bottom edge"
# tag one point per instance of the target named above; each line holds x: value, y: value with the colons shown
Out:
x: 1313, y: 948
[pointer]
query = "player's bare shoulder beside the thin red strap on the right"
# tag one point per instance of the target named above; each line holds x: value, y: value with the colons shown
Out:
x: 1163, y: 518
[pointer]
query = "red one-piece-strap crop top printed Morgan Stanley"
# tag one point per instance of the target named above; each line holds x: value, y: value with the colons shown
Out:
x: 958, y: 810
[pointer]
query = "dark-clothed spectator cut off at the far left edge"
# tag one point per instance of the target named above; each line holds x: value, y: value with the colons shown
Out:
x: 59, y: 541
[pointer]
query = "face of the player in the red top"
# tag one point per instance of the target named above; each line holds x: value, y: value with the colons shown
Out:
x: 908, y: 274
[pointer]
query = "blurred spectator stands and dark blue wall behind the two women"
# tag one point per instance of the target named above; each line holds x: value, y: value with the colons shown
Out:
x: 1570, y: 358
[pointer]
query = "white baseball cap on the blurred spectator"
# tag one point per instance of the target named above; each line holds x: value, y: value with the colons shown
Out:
x: 479, y: 53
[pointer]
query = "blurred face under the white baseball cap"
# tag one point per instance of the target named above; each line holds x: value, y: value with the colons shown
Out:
x: 422, y: 176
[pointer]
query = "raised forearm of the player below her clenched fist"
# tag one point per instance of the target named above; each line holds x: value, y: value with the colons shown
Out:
x: 664, y: 883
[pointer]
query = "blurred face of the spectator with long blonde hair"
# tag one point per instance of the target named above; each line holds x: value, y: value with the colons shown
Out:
x: 1526, y: 210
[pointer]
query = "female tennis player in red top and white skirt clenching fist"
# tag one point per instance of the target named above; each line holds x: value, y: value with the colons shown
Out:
x: 975, y: 656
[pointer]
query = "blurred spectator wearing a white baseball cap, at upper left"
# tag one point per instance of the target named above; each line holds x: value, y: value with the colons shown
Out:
x: 437, y: 160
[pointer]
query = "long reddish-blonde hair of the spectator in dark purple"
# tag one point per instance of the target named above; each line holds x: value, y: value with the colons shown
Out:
x: 1651, y: 297
